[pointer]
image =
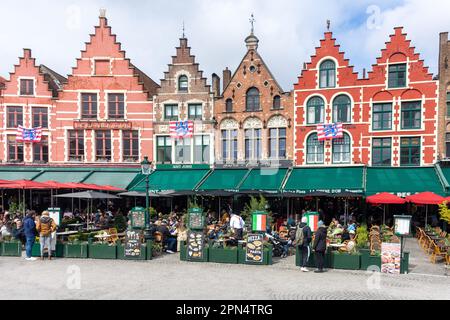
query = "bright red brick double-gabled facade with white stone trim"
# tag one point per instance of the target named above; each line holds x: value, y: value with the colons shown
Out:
x: 389, y: 117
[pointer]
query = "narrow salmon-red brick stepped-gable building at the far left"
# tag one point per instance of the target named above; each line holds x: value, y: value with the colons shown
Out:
x: 28, y: 100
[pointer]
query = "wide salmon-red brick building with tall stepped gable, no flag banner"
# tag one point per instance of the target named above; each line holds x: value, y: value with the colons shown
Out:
x: 104, y: 113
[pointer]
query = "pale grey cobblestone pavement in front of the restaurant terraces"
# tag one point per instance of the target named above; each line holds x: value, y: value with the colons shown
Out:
x: 169, y: 278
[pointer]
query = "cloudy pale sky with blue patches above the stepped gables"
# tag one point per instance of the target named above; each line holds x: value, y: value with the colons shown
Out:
x: 288, y: 30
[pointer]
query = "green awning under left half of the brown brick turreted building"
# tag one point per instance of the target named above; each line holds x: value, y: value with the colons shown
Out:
x: 224, y: 179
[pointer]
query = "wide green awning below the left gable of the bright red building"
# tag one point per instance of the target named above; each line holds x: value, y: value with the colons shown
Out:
x: 333, y: 181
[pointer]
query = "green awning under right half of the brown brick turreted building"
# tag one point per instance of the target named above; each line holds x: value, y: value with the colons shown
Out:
x: 264, y: 180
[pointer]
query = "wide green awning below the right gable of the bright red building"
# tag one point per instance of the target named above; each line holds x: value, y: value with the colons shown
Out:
x: 403, y: 181
